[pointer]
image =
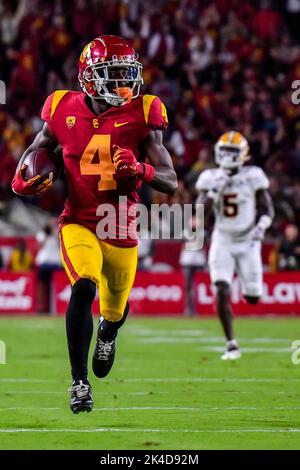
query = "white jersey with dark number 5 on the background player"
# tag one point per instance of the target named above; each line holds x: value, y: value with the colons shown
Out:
x: 235, y: 212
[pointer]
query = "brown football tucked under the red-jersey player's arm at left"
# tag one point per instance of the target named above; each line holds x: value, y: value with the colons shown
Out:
x: 41, y: 162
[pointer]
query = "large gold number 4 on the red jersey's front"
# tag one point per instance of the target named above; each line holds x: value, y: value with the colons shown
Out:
x: 105, y: 169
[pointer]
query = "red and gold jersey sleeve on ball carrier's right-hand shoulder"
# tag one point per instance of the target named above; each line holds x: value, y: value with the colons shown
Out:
x: 155, y: 112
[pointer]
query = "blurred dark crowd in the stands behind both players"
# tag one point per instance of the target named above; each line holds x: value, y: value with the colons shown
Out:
x: 216, y: 65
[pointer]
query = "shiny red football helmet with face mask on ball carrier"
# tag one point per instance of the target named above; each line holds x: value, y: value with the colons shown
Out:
x: 109, y: 70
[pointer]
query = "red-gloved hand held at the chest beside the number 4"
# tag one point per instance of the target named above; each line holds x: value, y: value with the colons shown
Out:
x: 127, y: 166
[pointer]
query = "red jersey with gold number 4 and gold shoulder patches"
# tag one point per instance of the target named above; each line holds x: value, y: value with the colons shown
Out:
x: 87, y: 141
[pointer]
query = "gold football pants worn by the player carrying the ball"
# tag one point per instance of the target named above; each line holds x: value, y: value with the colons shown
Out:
x: 111, y: 268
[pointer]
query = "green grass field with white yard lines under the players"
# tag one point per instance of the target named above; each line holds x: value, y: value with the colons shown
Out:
x: 168, y: 388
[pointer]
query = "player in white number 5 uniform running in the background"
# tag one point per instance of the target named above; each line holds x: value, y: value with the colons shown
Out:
x: 243, y: 211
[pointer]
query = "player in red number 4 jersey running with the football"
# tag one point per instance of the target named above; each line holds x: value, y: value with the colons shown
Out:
x: 106, y: 134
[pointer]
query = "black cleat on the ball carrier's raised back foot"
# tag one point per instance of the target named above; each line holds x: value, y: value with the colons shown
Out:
x: 104, y: 355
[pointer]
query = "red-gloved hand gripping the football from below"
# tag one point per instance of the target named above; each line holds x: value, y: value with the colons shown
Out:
x: 29, y: 187
